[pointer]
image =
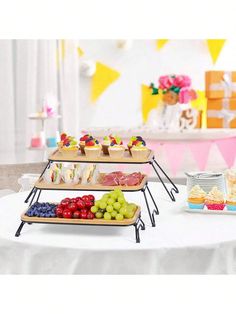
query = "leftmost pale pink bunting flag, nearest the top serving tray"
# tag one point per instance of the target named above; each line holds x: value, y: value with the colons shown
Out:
x: 174, y: 153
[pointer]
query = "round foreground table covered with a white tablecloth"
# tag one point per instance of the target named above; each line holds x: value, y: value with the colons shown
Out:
x: 182, y: 243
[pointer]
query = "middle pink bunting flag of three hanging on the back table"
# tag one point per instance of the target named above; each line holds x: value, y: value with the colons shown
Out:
x: 200, y: 152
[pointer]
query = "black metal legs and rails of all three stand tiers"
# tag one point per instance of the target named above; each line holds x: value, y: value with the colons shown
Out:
x: 139, y: 224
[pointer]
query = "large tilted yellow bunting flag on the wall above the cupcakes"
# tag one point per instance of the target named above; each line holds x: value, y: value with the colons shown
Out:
x: 103, y: 77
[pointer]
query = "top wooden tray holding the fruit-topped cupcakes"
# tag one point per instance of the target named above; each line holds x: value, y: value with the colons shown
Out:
x: 127, y: 159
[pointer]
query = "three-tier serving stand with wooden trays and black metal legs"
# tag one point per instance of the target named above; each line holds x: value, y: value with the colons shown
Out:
x: 136, y: 221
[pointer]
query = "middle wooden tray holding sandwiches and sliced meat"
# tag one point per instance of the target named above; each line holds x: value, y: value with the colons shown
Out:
x: 40, y: 184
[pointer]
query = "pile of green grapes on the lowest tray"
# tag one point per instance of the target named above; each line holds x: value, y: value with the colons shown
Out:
x: 113, y: 206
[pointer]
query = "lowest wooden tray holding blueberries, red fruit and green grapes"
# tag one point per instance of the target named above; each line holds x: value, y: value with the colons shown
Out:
x: 95, y: 221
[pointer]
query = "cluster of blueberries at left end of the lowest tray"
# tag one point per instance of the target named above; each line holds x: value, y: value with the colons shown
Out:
x: 46, y: 210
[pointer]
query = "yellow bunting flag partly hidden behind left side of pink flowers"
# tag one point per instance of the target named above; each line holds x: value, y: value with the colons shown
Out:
x: 149, y: 101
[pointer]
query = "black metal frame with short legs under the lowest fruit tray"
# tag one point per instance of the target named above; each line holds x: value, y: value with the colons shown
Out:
x: 139, y: 224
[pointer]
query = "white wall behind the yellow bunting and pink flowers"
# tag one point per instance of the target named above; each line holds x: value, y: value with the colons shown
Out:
x: 120, y: 104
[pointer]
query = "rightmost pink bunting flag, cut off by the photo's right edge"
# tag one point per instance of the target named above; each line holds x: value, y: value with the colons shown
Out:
x: 227, y: 147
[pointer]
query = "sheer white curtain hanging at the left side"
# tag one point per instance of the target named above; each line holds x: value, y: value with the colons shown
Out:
x: 29, y: 71
